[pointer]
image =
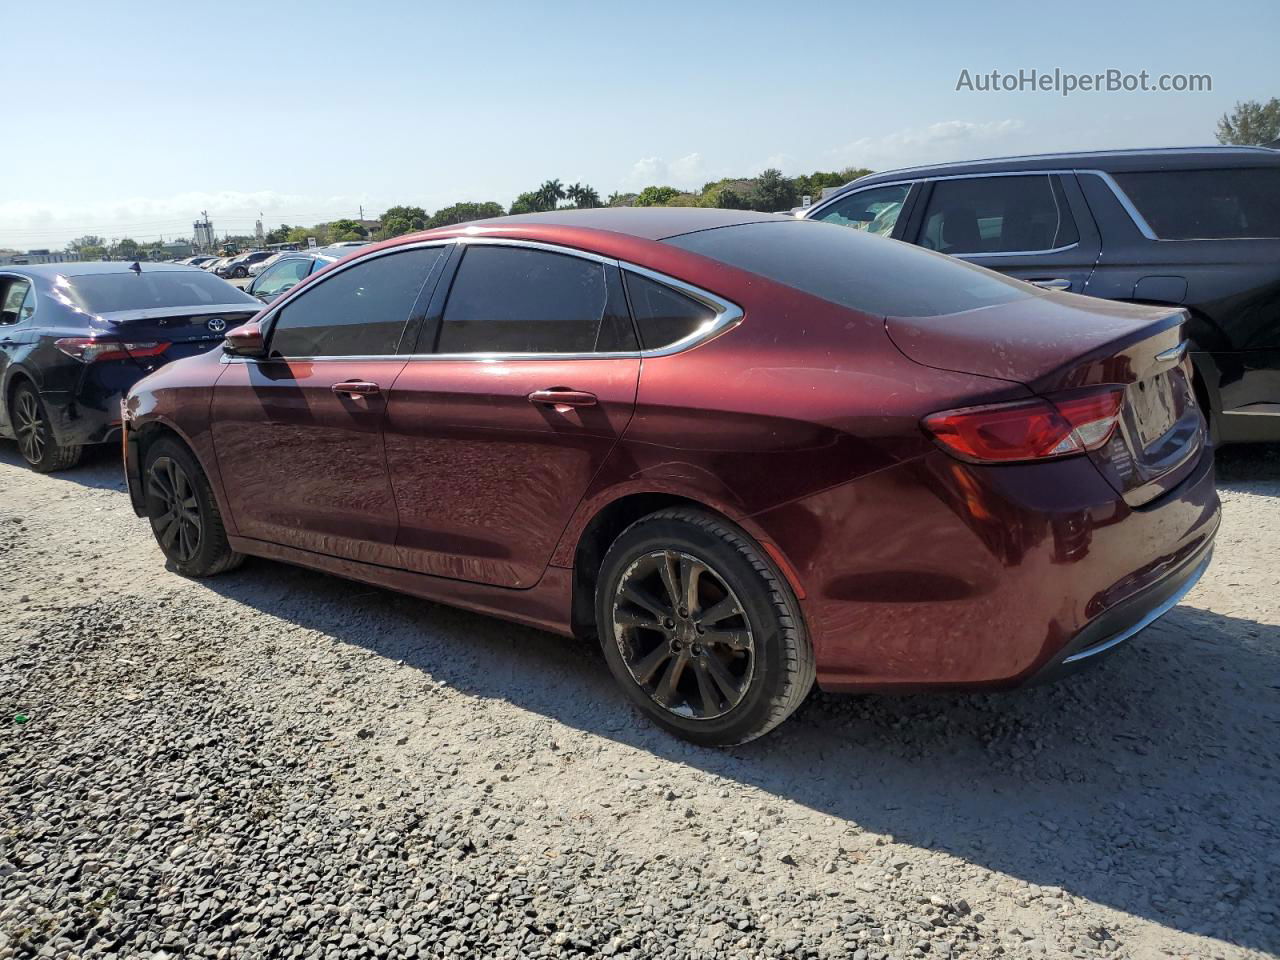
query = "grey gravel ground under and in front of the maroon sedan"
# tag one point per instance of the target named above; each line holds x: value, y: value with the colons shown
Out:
x: 281, y: 764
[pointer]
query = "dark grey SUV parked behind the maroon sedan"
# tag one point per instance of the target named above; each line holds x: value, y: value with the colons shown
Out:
x: 1197, y: 228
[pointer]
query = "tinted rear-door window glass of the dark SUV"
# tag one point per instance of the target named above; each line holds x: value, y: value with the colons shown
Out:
x: 998, y: 214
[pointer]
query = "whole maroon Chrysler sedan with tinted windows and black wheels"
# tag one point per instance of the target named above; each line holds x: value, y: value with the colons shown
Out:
x: 746, y: 451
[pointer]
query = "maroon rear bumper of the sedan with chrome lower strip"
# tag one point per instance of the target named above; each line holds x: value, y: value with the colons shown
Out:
x: 936, y: 574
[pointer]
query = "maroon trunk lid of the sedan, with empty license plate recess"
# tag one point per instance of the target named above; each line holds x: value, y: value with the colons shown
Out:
x: 1058, y: 344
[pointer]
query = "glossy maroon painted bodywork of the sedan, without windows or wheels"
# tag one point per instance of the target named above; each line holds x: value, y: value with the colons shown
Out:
x: 801, y: 424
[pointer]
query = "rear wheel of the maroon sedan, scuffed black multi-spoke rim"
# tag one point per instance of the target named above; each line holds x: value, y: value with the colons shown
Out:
x: 739, y: 652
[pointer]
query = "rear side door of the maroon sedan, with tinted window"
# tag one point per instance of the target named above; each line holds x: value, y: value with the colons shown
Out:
x: 524, y: 381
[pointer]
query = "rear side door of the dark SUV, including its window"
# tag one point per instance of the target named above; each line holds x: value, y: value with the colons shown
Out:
x: 1035, y: 227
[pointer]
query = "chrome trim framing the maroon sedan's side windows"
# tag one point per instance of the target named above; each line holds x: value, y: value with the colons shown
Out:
x: 728, y: 314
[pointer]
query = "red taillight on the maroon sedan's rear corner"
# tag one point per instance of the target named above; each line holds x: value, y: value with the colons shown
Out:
x: 1039, y: 429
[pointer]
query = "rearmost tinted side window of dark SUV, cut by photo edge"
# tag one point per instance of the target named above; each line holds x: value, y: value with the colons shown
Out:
x: 1208, y: 204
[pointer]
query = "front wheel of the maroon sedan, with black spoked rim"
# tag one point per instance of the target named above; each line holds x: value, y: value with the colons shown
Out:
x: 184, y: 514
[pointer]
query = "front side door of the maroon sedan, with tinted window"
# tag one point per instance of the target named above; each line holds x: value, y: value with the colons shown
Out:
x: 299, y: 433
